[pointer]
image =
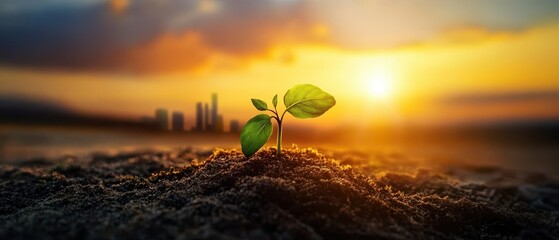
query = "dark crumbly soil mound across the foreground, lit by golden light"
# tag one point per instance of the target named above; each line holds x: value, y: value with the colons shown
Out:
x: 304, y: 195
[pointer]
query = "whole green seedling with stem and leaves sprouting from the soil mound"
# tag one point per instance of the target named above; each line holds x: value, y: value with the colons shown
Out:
x: 301, y: 101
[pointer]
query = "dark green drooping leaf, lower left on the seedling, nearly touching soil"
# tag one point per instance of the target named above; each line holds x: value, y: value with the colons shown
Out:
x: 255, y: 134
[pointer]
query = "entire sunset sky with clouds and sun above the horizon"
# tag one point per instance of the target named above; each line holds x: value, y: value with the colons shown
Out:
x: 387, y: 62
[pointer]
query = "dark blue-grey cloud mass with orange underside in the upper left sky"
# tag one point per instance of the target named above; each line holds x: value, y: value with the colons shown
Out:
x: 149, y: 36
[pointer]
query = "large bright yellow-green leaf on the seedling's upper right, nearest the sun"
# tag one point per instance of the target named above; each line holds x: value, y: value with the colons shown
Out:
x: 307, y: 101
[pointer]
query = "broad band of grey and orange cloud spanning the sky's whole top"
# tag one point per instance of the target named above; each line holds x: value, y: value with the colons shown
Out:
x: 153, y: 36
